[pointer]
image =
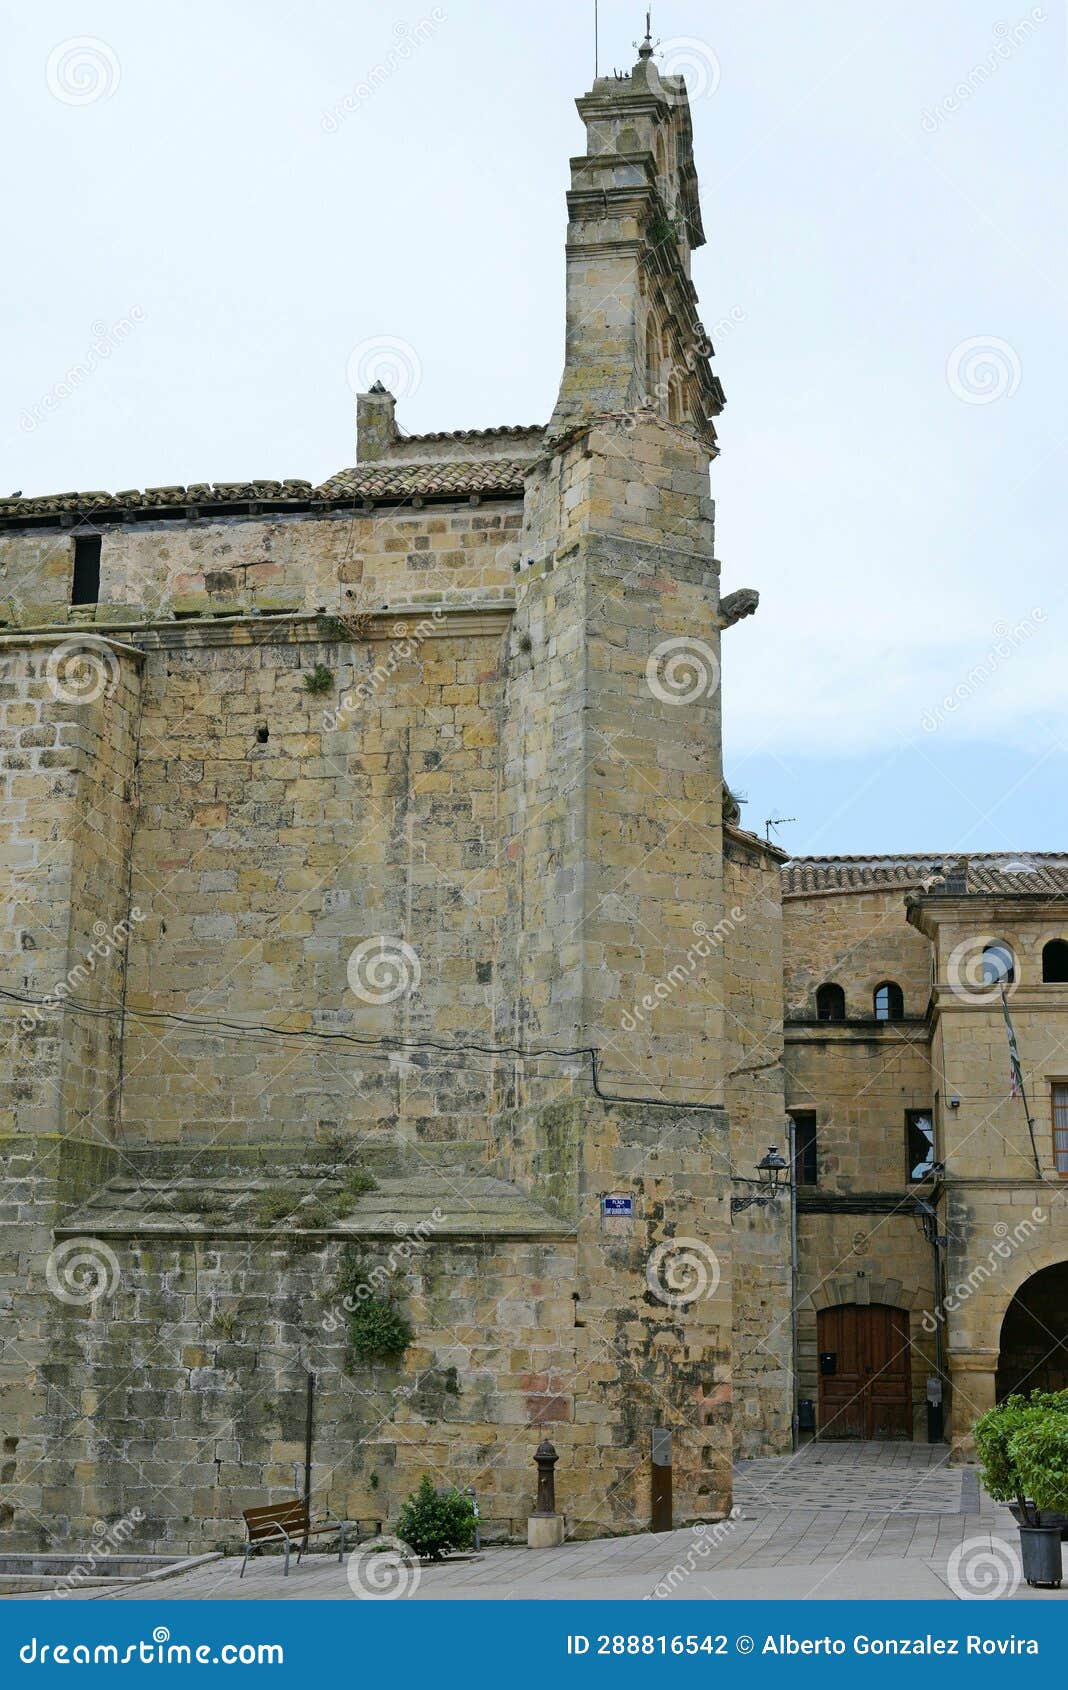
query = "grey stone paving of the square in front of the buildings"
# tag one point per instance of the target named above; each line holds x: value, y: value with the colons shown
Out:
x: 829, y: 1524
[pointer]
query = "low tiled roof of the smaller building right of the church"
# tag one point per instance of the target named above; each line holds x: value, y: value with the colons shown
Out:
x: 988, y: 873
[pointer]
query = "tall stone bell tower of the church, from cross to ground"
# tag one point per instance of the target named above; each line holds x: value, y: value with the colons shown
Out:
x: 614, y: 804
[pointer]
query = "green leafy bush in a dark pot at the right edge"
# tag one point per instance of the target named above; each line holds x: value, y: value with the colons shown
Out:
x: 1013, y: 1464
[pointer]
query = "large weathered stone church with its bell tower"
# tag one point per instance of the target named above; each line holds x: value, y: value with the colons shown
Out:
x: 390, y: 804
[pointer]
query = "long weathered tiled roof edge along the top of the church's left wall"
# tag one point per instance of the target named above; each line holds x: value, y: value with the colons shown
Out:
x: 368, y: 481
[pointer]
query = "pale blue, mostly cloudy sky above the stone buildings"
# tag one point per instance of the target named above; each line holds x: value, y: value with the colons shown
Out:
x: 215, y: 209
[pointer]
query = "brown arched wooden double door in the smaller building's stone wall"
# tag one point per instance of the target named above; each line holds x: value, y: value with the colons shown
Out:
x: 866, y: 1380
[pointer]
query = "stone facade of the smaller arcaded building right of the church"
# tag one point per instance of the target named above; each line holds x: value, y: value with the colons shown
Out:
x: 996, y: 1209
